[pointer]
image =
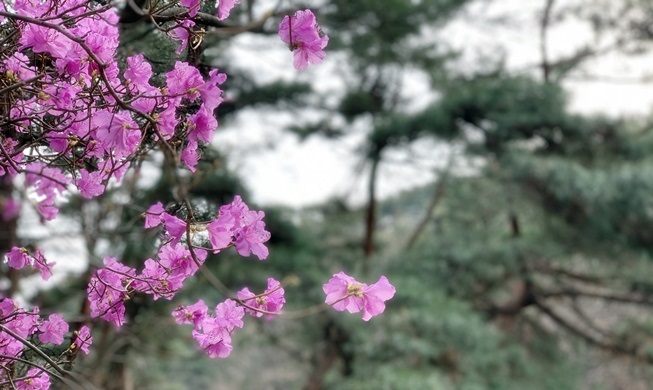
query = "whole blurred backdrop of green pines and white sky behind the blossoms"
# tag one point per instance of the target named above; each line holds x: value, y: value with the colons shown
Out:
x: 492, y: 158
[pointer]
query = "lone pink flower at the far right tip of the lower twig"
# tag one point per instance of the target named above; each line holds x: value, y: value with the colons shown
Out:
x: 345, y: 293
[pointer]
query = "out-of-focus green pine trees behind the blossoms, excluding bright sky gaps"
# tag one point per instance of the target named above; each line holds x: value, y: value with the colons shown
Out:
x: 526, y: 264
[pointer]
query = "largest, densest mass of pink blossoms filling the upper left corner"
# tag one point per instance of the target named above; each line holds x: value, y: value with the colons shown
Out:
x: 82, y: 108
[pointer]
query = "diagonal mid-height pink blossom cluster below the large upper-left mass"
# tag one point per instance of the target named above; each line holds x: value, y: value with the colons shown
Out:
x: 175, y: 261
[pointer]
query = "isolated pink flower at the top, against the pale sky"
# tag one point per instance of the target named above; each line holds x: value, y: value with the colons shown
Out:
x: 303, y: 36
